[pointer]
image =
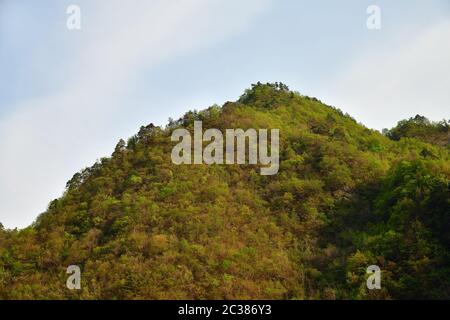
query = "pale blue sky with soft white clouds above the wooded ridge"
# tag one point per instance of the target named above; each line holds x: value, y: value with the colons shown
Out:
x: 67, y: 96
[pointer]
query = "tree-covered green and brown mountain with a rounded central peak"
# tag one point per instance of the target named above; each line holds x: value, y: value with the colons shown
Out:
x: 345, y: 198
